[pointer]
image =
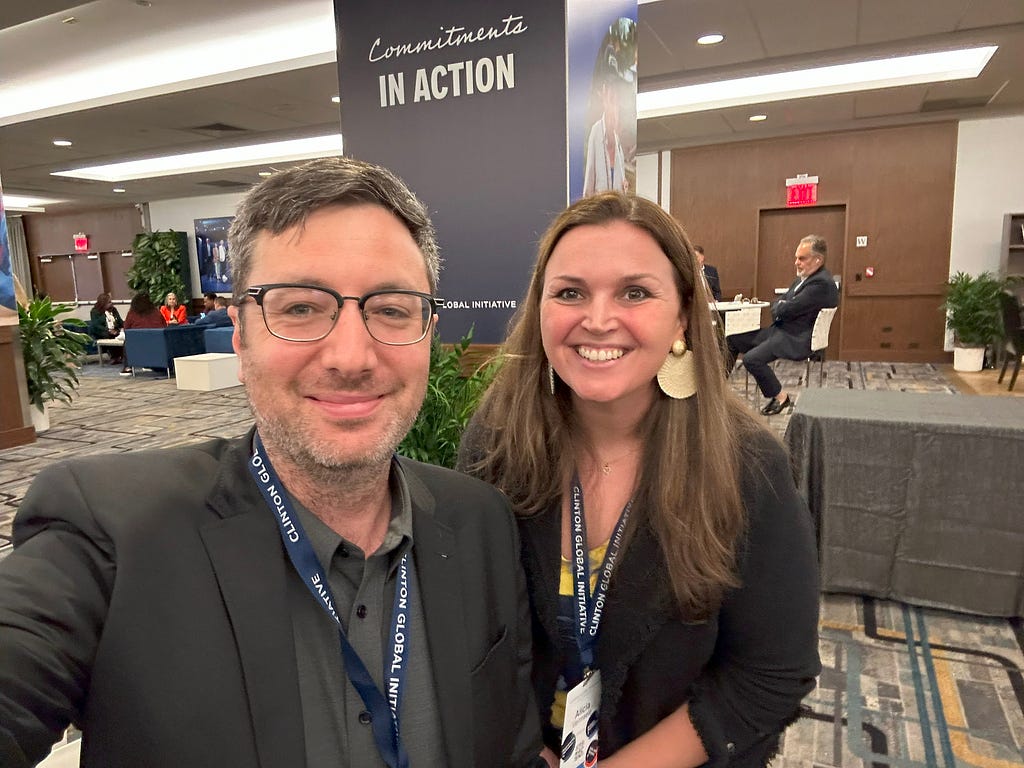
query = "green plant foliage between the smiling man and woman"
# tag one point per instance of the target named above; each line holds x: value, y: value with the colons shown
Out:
x: 452, y: 398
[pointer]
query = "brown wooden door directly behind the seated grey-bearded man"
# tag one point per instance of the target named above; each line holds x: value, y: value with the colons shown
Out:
x: 780, y: 232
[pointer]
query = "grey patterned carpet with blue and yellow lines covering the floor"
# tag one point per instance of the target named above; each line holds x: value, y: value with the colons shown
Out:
x: 901, y: 686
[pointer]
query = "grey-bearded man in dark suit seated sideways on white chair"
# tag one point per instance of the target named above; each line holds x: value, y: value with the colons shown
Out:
x: 789, y: 337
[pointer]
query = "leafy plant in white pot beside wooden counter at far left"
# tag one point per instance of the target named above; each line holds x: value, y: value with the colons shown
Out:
x: 51, y: 353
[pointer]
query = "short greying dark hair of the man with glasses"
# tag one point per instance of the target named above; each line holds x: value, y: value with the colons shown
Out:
x: 288, y: 198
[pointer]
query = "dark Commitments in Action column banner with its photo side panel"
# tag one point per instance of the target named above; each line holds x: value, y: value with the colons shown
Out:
x: 467, y: 102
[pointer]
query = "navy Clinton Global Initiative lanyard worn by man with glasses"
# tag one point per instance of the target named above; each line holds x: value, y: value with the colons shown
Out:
x: 385, y: 713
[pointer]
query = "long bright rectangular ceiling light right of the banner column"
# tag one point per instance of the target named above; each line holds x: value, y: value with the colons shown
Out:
x: 859, y: 76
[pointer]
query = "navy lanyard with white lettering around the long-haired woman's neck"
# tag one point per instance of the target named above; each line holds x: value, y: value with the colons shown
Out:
x: 590, y: 609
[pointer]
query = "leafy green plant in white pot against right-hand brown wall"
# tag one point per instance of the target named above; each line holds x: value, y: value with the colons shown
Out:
x: 973, y: 315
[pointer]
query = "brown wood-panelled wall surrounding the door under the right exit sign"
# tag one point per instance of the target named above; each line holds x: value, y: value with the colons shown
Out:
x: 898, y: 187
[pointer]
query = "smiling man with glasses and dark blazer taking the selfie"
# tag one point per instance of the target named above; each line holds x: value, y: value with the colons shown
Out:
x: 298, y: 598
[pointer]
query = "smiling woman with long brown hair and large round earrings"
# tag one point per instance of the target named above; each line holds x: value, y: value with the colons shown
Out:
x: 671, y: 563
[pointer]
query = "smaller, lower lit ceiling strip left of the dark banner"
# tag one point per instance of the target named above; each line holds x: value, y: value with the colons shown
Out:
x: 212, y: 160
